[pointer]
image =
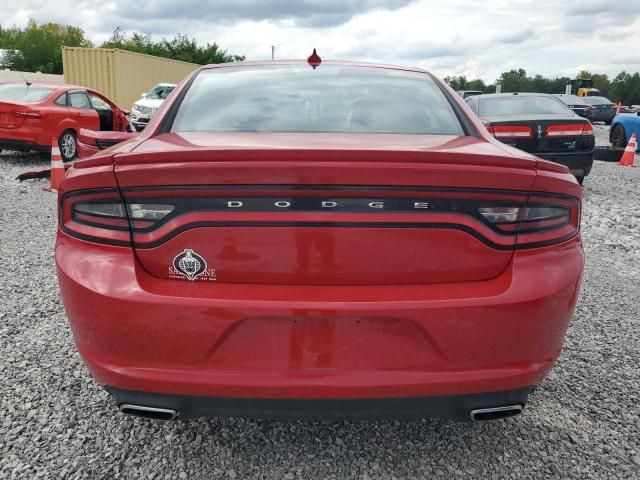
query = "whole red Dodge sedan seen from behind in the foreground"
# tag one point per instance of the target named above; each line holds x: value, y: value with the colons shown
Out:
x: 318, y: 239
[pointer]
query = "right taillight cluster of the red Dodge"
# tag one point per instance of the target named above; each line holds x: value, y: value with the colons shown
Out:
x: 544, y: 221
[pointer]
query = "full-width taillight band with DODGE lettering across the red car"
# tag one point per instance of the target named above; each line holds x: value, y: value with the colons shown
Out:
x: 503, y: 220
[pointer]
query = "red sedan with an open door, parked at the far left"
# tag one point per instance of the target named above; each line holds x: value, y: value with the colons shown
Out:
x: 33, y: 114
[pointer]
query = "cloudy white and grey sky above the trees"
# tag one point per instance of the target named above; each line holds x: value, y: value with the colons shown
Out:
x: 479, y: 39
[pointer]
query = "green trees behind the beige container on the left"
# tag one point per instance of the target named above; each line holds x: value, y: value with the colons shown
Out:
x: 38, y: 48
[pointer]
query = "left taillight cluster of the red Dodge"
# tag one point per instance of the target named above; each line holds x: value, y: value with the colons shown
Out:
x: 100, y: 216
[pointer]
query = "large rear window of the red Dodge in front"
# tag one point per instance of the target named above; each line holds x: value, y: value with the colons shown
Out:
x: 331, y: 99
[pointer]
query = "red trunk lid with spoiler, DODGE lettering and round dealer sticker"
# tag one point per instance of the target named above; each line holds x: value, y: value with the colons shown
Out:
x: 321, y: 209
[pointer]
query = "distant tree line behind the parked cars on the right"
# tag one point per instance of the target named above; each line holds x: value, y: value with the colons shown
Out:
x: 624, y: 87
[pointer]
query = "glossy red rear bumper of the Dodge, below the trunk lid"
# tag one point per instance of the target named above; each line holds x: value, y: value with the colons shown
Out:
x: 138, y: 333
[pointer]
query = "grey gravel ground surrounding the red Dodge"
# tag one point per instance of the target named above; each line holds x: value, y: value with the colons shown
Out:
x: 582, y: 423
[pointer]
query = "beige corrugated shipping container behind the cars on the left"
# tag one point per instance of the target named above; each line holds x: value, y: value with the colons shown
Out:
x: 120, y: 75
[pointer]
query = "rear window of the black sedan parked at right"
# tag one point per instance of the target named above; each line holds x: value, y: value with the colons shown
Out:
x: 522, y: 105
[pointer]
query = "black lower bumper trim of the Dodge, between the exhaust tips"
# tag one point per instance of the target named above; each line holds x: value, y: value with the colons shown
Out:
x: 453, y: 406
